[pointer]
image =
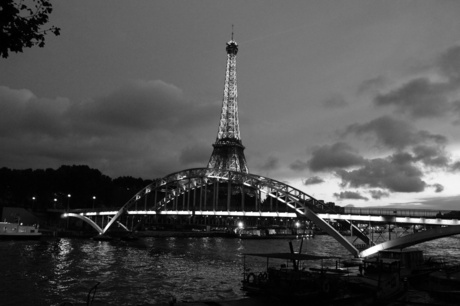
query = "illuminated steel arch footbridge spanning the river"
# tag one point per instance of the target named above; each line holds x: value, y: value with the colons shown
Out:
x: 214, y: 192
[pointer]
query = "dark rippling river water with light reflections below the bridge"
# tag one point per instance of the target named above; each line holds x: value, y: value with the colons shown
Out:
x: 147, y: 271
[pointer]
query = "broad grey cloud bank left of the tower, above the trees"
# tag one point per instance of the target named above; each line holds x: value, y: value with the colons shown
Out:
x: 142, y: 129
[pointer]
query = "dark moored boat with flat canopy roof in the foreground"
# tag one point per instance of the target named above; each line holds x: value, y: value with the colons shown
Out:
x: 298, y: 277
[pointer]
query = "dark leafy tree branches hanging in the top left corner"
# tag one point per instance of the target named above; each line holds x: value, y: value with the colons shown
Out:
x: 21, y: 24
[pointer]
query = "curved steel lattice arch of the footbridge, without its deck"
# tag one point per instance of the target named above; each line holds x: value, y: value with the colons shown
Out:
x: 180, y: 182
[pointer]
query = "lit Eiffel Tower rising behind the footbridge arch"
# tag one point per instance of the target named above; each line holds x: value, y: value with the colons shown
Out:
x: 228, y: 148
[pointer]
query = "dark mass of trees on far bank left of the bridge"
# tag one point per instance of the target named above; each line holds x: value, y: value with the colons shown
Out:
x: 18, y: 187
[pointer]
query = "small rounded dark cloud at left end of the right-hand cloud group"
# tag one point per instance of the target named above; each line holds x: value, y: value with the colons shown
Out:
x: 329, y: 157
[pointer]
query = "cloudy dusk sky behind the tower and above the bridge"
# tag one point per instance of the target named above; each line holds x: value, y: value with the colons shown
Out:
x: 353, y: 102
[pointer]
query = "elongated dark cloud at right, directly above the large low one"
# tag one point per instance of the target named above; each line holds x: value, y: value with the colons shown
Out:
x: 393, y: 133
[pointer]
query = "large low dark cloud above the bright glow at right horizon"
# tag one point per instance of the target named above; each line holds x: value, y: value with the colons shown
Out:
x: 385, y: 174
